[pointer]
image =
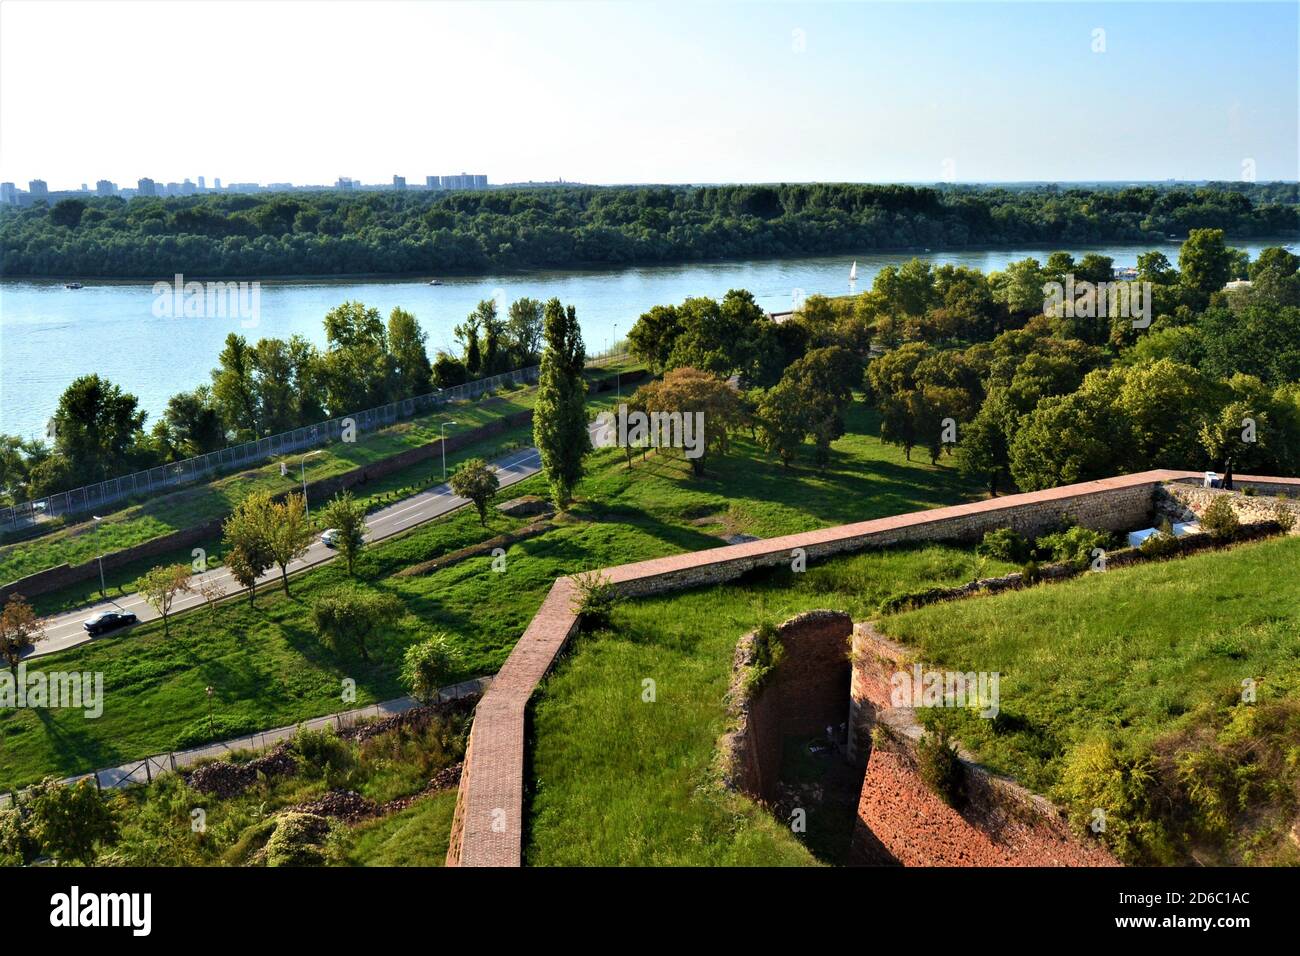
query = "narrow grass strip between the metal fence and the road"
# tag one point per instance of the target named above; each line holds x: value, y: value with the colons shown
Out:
x: 205, y: 503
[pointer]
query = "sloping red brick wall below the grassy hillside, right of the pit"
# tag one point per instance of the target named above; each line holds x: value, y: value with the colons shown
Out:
x: 904, y: 823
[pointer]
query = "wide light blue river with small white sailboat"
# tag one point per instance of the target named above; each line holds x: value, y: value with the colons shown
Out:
x: 51, y: 335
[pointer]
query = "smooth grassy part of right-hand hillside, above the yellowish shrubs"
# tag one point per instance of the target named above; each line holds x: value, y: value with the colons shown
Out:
x: 1138, y: 652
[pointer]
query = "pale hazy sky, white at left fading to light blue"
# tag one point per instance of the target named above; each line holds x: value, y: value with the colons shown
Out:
x: 307, y: 92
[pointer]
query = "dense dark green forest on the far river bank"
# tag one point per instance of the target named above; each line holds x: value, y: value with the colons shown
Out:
x: 410, y: 233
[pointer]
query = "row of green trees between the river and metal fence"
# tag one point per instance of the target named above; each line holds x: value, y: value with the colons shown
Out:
x: 98, y: 431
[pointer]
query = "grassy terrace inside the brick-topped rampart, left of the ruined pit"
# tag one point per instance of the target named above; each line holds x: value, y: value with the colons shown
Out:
x: 617, y: 781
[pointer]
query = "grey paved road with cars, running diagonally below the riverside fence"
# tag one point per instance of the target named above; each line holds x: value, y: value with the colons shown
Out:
x: 66, y: 631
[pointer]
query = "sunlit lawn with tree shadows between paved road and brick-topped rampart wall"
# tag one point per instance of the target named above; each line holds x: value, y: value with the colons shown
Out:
x: 267, y: 667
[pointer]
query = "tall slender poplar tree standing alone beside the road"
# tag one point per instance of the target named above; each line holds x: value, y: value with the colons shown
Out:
x: 560, y: 417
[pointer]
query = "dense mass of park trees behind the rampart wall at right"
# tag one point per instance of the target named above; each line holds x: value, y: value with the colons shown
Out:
x: 1019, y: 391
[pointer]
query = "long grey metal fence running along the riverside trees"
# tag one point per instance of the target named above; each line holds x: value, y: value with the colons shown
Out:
x: 166, y: 478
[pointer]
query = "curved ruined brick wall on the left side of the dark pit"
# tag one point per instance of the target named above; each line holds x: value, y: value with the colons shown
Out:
x: 807, y: 693
